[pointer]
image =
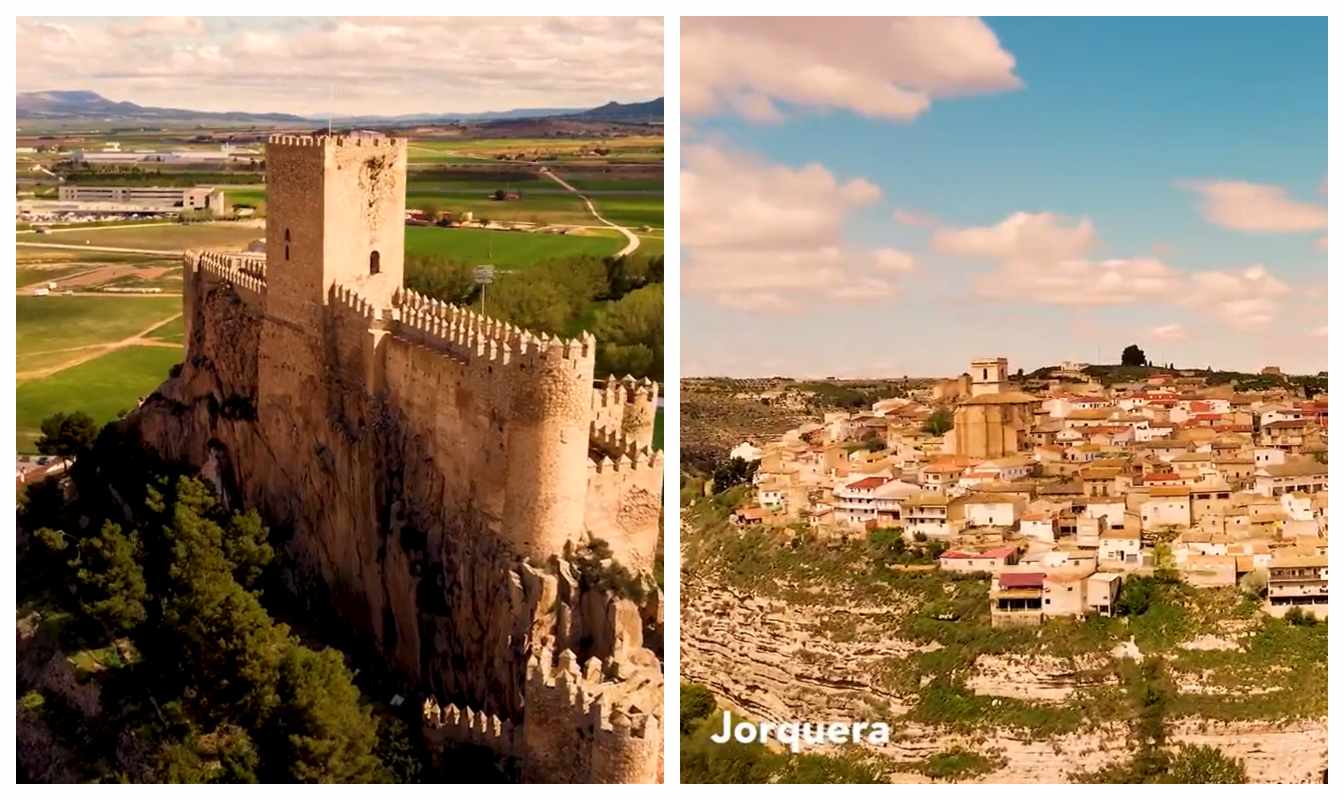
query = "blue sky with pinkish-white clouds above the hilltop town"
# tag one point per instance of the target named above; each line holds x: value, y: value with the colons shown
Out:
x: 900, y: 197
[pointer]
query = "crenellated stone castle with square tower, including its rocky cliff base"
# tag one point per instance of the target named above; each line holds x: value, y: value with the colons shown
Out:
x: 437, y: 470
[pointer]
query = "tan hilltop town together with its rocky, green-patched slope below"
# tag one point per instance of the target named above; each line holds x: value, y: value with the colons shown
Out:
x: 1006, y: 565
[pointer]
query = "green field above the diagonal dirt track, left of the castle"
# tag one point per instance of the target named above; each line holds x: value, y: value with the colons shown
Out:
x: 48, y: 325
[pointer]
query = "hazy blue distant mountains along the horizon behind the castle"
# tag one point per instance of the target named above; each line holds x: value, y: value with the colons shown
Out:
x: 69, y: 107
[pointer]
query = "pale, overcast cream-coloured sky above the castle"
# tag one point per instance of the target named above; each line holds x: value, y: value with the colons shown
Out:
x: 358, y: 65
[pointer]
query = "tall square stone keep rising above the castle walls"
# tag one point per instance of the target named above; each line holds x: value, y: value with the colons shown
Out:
x: 335, y: 214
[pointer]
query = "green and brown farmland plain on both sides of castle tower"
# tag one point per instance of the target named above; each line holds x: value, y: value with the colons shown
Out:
x: 100, y: 353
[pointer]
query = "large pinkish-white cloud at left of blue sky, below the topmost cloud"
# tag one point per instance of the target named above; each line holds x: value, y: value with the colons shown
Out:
x: 769, y: 237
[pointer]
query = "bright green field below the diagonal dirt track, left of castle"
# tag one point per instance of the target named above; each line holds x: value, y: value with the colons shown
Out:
x: 101, y: 389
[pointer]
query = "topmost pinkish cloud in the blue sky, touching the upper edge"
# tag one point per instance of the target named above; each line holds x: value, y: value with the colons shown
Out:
x: 890, y: 68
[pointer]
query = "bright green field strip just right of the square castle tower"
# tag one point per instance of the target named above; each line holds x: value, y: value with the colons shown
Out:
x: 505, y: 248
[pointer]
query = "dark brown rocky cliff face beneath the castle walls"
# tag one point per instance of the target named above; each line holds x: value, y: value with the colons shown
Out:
x: 373, y: 537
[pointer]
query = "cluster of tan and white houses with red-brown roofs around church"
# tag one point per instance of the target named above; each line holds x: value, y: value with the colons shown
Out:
x: 1064, y: 490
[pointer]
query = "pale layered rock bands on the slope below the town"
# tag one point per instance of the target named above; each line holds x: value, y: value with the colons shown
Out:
x: 772, y: 661
